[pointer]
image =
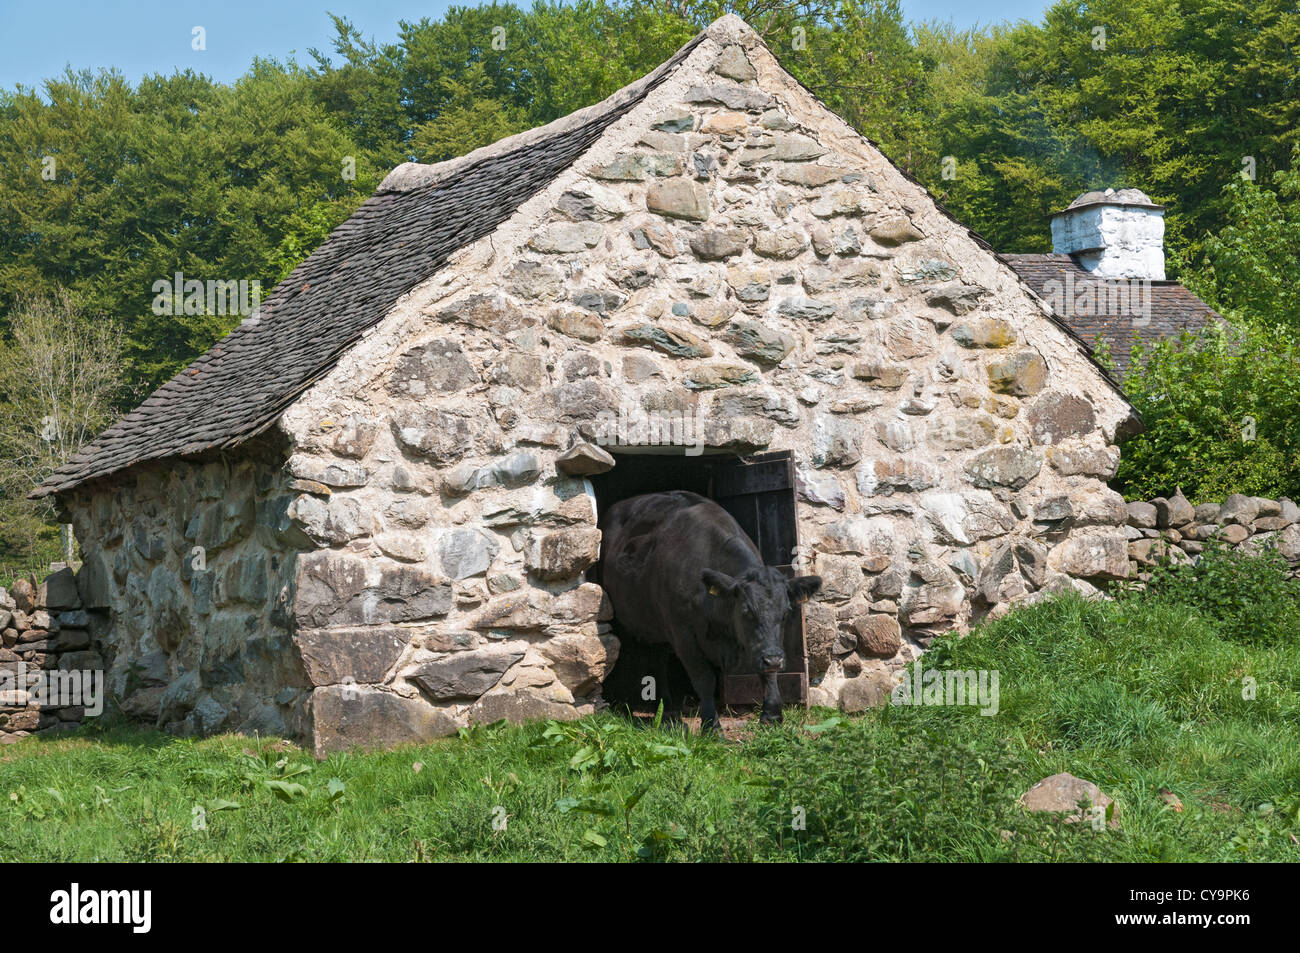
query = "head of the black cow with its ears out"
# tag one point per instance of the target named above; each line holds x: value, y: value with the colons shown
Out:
x: 759, y: 604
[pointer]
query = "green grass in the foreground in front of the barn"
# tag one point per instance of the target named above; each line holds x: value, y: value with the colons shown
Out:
x: 1136, y: 696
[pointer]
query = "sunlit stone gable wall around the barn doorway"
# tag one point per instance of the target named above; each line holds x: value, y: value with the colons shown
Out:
x: 729, y: 254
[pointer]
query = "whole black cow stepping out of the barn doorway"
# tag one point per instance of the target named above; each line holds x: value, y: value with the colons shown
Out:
x: 679, y: 570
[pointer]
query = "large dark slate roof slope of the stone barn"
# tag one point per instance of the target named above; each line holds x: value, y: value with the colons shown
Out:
x: 397, y: 240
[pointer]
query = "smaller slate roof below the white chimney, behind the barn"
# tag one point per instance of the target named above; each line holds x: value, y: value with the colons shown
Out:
x: 1172, y: 307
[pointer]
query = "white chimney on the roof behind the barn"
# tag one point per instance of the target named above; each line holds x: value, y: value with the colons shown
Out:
x: 1113, y: 235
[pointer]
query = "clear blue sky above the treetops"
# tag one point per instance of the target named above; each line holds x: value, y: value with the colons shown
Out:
x: 38, y: 38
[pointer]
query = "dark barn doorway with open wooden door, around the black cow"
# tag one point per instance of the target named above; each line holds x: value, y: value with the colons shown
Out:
x: 759, y: 492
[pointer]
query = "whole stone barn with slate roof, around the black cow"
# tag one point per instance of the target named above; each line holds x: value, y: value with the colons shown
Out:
x: 372, y: 513
